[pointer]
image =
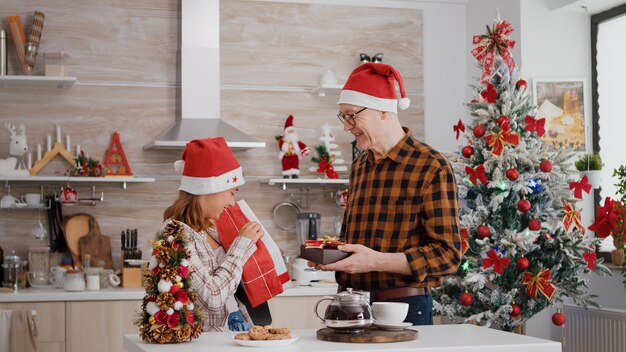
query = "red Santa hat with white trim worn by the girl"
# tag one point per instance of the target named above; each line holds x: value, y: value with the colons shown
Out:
x: 209, y: 166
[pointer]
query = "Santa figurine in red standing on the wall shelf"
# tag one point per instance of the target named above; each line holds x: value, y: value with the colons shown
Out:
x: 291, y: 149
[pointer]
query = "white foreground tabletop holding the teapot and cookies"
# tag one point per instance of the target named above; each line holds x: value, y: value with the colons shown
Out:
x: 442, y: 338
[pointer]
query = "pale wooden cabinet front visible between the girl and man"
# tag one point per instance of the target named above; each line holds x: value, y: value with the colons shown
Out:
x: 297, y: 312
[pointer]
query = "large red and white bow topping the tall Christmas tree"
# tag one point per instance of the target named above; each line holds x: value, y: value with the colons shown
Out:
x: 496, y: 39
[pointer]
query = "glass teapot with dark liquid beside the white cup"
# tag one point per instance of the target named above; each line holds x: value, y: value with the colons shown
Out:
x: 348, y: 312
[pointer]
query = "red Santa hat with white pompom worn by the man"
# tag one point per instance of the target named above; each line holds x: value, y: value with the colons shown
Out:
x: 372, y: 85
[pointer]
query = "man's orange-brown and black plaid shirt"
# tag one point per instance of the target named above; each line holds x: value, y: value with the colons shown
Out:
x: 404, y: 202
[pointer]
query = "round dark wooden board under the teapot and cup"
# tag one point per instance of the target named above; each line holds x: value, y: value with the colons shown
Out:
x: 371, y: 335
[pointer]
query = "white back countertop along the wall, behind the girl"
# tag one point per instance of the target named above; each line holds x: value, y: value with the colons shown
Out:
x: 123, y: 294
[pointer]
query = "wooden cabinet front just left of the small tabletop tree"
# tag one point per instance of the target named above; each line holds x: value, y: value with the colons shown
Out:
x: 99, y: 325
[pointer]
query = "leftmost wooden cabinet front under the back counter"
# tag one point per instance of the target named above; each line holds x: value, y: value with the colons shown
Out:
x: 49, y: 320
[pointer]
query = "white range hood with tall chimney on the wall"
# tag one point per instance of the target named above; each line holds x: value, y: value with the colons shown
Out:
x: 200, y: 82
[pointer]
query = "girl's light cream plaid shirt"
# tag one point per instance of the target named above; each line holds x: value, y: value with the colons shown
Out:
x: 214, y: 283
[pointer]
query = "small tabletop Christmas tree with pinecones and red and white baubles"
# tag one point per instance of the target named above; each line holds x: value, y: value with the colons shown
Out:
x: 168, y: 313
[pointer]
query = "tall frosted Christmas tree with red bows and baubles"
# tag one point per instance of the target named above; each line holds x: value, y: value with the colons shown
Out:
x: 524, y: 247
